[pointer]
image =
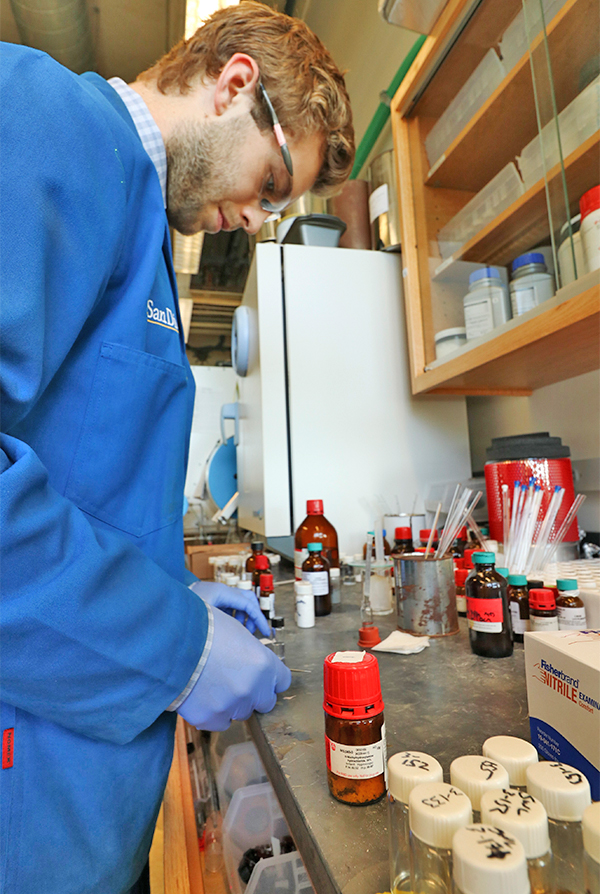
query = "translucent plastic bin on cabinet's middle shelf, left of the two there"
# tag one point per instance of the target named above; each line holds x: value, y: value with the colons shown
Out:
x: 504, y: 189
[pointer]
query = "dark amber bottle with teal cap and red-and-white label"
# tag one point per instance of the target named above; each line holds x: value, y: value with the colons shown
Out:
x: 490, y: 631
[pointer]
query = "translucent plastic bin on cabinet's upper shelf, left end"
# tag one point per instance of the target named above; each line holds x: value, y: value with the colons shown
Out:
x: 469, y: 99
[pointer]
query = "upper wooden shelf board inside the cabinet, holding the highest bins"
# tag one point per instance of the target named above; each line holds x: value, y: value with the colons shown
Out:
x: 507, y: 121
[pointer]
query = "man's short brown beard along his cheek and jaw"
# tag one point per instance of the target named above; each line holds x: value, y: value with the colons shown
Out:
x: 203, y: 164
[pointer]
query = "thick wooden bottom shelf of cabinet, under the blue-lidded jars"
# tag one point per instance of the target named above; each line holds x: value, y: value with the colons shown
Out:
x: 560, y: 342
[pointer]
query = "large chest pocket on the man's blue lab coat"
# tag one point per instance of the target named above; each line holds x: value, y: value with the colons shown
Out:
x: 129, y: 465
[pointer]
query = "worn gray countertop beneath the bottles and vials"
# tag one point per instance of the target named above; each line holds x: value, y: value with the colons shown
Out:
x: 444, y: 701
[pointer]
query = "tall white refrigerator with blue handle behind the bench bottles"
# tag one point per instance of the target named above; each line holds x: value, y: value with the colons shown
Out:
x: 323, y: 408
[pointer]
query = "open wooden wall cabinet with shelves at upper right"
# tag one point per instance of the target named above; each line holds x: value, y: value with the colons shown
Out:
x: 559, y: 338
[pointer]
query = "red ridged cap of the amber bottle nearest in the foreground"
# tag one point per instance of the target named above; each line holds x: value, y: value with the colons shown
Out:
x: 352, y: 689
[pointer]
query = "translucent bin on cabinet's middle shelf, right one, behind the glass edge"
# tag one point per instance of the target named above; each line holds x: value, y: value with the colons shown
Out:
x: 577, y: 121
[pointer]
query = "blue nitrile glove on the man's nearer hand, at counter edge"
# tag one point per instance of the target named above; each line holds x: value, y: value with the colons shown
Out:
x: 240, y: 676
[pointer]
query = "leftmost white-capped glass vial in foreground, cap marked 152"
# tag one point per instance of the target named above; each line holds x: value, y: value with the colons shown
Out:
x: 406, y: 769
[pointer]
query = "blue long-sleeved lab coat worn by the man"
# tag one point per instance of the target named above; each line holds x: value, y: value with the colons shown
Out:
x: 100, y: 631
